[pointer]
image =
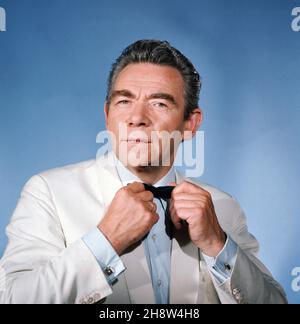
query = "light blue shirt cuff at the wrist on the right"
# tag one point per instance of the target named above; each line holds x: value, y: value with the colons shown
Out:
x: 222, y: 265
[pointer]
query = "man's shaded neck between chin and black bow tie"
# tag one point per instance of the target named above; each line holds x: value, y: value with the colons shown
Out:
x: 150, y: 174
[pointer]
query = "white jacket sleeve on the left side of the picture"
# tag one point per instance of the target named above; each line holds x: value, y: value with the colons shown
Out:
x: 37, y: 266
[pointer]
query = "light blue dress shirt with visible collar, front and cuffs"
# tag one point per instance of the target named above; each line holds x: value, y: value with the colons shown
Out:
x: 157, y: 247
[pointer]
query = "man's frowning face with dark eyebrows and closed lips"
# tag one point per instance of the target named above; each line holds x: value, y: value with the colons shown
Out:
x: 146, y: 107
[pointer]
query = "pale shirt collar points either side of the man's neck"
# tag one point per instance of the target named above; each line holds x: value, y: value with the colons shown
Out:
x: 128, y: 177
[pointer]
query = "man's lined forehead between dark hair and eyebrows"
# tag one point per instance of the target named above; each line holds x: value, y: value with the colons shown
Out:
x: 149, y: 77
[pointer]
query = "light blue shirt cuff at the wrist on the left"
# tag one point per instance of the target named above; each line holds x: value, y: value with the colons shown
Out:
x: 108, y: 259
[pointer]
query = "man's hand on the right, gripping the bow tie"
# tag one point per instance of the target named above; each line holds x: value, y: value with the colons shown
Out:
x: 194, y: 205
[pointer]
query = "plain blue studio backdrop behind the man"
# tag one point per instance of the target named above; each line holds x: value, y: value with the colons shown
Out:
x: 54, y: 61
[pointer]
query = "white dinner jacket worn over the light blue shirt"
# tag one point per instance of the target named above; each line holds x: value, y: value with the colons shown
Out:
x: 46, y: 260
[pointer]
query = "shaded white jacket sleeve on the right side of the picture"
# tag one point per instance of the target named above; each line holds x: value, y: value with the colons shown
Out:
x: 250, y: 281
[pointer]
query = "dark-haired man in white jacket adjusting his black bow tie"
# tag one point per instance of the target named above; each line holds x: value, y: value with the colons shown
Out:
x: 99, y: 232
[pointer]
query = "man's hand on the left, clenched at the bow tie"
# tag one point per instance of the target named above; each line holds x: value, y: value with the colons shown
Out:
x: 130, y: 216
